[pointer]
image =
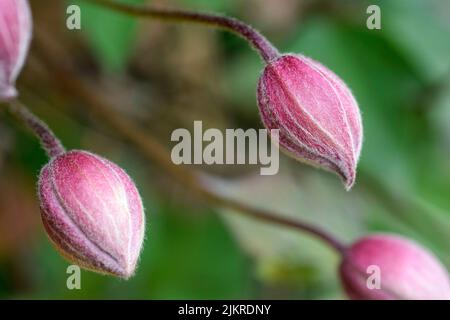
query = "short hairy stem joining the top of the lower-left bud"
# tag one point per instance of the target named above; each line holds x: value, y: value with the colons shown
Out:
x: 49, y: 141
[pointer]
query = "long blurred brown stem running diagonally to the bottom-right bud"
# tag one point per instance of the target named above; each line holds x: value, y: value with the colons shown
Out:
x: 69, y: 81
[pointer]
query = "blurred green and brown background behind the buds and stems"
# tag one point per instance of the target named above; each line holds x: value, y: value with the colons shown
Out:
x: 165, y: 76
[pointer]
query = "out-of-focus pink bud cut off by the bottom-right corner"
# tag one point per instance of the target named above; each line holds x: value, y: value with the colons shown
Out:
x: 406, y: 270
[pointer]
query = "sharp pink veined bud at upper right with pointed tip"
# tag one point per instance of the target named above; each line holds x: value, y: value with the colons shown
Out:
x: 318, y: 118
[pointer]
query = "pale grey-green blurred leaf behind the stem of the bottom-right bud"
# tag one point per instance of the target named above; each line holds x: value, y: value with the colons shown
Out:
x: 289, y: 257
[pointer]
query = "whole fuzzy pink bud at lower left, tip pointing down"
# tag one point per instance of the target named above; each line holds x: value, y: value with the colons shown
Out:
x: 92, y: 212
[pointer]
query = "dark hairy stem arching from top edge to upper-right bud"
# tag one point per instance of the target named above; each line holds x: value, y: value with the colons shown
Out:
x: 266, y: 50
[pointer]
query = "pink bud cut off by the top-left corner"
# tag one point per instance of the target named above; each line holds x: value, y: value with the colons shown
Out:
x: 15, y: 36
